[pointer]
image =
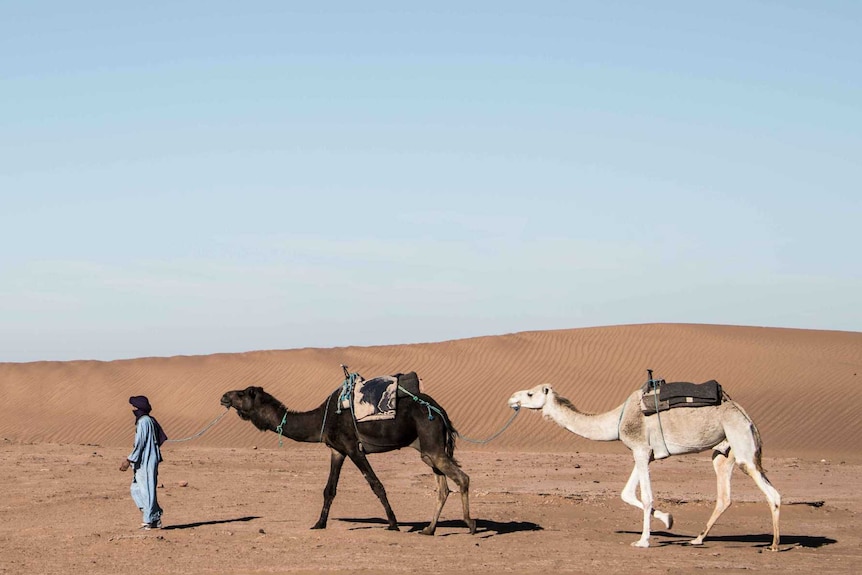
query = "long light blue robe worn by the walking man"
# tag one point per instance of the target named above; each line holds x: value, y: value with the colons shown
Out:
x: 146, y: 456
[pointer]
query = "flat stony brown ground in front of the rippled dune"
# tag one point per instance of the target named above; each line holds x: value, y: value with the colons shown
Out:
x: 66, y: 509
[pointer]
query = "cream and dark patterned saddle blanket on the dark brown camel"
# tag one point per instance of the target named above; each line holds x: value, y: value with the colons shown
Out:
x: 375, y: 399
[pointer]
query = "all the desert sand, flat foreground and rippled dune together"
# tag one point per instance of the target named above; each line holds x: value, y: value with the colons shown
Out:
x: 545, y: 499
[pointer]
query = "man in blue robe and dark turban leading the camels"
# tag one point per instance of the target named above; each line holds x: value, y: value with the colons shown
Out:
x: 146, y: 457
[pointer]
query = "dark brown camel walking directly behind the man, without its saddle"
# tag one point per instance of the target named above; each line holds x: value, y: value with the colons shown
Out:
x: 434, y: 438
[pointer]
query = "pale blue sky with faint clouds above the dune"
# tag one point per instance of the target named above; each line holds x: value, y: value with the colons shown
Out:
x: 201, y: 177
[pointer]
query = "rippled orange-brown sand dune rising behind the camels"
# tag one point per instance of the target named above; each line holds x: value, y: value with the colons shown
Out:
x: 799, y: 386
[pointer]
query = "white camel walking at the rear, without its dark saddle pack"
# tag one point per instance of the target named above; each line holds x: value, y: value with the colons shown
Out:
x: 726, y: 428
